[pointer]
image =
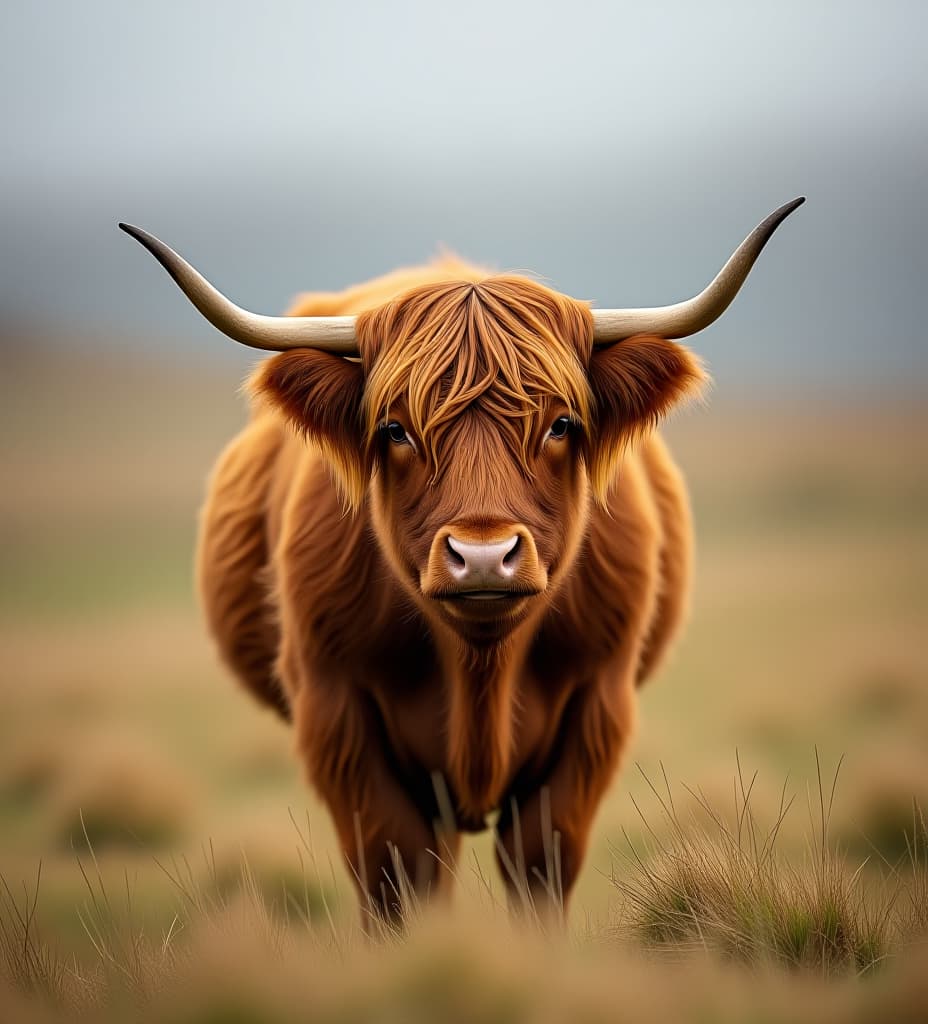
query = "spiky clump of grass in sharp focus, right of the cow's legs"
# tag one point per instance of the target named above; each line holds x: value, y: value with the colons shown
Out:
x: 722, y: 887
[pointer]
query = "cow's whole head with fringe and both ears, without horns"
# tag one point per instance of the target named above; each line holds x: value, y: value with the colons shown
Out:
x: 480, y: 425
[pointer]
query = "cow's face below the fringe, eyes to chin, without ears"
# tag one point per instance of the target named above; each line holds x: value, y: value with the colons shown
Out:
x: 486, y: 535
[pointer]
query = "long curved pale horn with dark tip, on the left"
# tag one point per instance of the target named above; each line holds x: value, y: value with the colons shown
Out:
x: 274, y: 334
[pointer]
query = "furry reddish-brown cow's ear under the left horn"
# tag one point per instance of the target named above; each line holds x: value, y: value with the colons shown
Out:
x: 322, y: 396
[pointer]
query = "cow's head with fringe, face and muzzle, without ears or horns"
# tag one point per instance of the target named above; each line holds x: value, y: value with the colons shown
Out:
x: 479, y: 404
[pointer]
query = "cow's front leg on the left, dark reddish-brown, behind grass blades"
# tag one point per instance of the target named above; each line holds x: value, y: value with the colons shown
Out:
x: 393, y: 851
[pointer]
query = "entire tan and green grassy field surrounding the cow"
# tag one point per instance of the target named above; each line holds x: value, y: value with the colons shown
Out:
x: 181, y: 850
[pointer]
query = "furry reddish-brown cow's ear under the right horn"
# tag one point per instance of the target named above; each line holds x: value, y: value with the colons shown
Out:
x: 635, y: 383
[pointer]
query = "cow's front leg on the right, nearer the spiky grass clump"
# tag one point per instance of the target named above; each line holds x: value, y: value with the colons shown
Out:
x: 543, y: 834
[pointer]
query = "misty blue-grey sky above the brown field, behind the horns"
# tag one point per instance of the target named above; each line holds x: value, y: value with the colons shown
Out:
x: 621, y: 151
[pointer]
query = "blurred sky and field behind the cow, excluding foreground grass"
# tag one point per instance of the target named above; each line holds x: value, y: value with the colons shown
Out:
x: 620, y: 151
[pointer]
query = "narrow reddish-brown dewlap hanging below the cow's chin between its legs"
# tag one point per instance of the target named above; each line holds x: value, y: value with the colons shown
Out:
x: 480, y: 728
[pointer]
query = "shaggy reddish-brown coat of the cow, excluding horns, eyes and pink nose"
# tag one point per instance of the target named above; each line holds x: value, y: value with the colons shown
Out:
x: 323, y: 563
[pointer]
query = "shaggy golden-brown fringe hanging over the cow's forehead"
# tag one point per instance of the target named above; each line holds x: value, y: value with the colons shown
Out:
x: 462, y: 355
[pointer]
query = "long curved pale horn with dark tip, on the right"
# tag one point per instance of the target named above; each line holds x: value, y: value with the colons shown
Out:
x: 695, y: 315
